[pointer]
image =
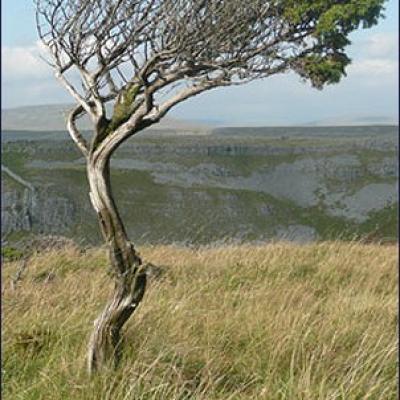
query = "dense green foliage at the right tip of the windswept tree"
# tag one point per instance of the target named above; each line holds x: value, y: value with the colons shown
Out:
x: 332, y: 21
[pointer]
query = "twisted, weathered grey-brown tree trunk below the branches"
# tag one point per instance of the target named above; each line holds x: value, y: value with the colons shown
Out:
x: 129, y: 273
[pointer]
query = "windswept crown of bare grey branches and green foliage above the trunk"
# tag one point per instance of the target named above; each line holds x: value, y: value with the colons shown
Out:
x: 151, y: 45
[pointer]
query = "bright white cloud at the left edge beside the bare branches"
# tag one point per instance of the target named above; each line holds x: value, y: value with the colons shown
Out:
x: 23, y: 63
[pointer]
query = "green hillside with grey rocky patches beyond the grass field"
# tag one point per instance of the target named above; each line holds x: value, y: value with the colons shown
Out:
x: 241, y: 184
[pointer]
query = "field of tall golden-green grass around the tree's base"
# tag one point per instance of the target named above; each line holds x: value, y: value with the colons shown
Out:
x: 276, y: 321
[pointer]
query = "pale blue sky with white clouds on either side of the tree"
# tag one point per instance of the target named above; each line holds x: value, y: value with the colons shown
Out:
x: 369, y: 90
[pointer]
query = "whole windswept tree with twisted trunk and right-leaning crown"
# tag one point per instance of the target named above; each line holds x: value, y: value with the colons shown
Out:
x: 145, y: 57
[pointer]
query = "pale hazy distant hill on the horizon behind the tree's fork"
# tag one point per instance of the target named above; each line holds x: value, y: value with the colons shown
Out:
x: 52, y: 118
